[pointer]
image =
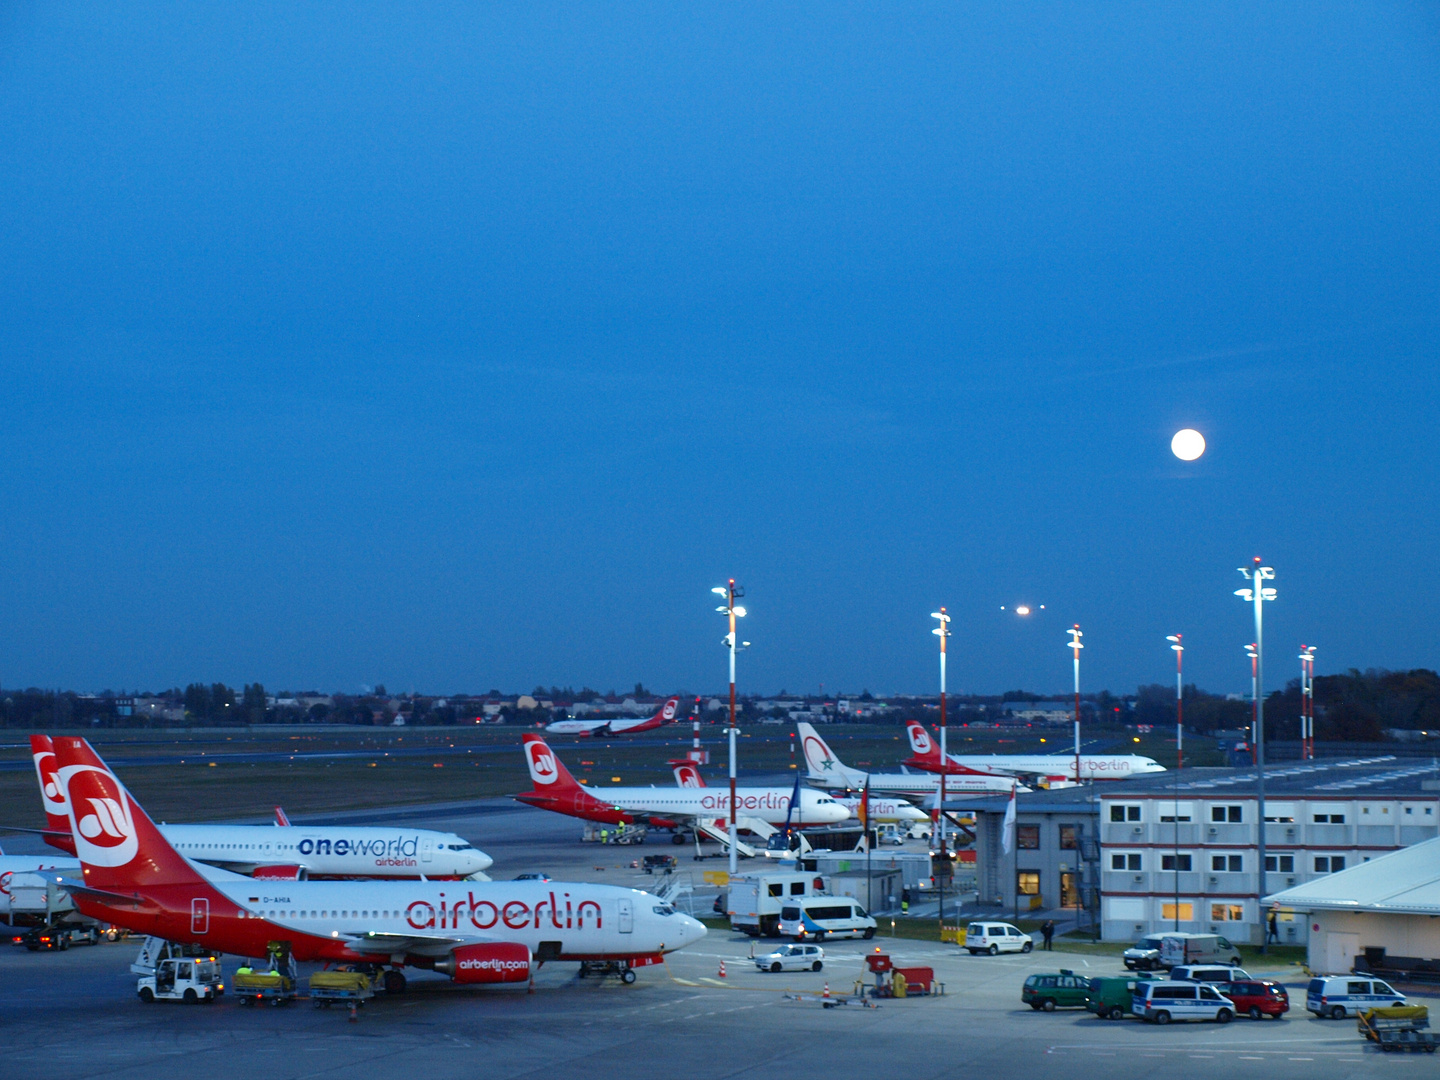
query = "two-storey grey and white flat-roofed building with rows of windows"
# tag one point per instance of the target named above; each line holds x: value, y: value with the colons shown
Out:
x: 1180, y: 850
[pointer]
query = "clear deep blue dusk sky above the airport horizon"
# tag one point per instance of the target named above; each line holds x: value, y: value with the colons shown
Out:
x: 463, y: 349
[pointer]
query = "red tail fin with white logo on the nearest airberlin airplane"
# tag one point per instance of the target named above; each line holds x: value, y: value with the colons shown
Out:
x: 119, y: 846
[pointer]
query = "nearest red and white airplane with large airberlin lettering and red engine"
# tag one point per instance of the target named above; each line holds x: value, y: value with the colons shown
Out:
x: 476, y: 932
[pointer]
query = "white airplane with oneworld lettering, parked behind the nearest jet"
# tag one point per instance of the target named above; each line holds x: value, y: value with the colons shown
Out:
x: 290, y: 852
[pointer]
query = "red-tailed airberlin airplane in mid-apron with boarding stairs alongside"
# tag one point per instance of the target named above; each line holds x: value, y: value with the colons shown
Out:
x: 706, y: 811
